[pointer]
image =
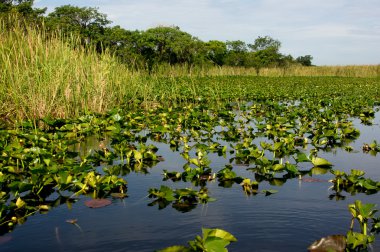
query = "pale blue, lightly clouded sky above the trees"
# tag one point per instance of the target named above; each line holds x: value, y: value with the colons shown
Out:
x: 334, y: 32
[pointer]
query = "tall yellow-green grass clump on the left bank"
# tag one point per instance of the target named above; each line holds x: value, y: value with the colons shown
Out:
x: 45, y: 75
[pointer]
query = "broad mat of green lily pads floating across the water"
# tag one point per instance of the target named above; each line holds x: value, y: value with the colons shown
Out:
x: 264, y: 132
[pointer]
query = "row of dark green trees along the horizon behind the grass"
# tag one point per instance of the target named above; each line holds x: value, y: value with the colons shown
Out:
x: 154, y: 46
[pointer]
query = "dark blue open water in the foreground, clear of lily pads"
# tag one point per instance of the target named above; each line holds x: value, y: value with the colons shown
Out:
x: 289, y: 220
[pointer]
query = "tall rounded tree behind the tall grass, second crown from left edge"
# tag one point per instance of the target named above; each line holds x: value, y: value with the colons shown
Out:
x: 88, y: 22
